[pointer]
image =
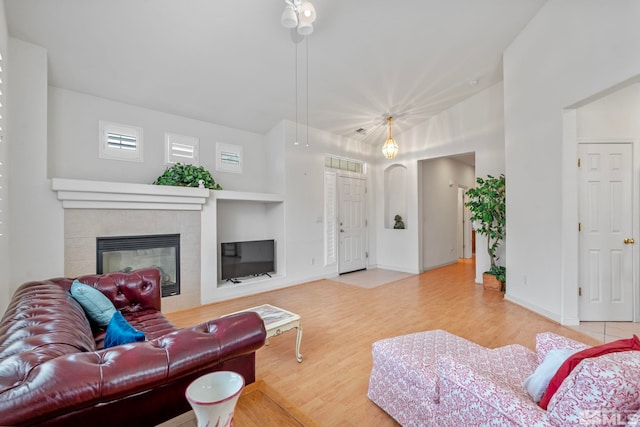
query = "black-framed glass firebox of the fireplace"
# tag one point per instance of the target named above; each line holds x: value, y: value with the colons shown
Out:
x: 126, y: 253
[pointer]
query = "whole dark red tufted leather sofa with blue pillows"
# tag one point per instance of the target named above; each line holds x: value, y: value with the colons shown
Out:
x: 54, y: 371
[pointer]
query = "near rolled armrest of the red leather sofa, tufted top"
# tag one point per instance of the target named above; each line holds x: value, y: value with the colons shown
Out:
x: 81, y: 380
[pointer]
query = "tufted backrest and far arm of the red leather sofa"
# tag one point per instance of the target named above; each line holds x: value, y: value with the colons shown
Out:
x: 44, y: 322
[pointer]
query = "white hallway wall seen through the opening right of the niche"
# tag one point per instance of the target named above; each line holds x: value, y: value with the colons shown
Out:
x: 440, y: 181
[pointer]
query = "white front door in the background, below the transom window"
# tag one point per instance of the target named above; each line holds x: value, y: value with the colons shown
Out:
x: 352, y: 224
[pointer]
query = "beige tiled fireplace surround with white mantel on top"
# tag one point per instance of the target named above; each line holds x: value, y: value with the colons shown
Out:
x: 100, y: 209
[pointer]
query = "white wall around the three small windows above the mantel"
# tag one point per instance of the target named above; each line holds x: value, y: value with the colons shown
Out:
x: 73, y: 143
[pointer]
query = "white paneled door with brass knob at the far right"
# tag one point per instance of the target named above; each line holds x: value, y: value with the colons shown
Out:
x: 606, y: 236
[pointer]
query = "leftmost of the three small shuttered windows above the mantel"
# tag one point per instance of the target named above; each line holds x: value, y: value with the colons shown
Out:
x: 120, y: 142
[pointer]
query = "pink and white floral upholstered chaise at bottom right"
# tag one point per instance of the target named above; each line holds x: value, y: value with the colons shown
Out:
x: 435, y: 378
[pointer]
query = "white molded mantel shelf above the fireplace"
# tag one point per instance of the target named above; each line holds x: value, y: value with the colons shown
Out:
x: 80, y: 194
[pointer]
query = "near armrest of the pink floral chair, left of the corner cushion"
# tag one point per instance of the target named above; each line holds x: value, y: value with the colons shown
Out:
x: 498, y: 397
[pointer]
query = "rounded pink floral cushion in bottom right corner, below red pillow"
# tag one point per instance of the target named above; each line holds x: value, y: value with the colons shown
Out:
x: 608, y: 385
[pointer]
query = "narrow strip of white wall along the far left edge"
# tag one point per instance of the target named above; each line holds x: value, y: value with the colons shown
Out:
x: 5, y: 254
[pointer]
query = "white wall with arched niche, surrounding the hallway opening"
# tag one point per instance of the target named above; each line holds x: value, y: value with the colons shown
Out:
x: 474, y: 125
